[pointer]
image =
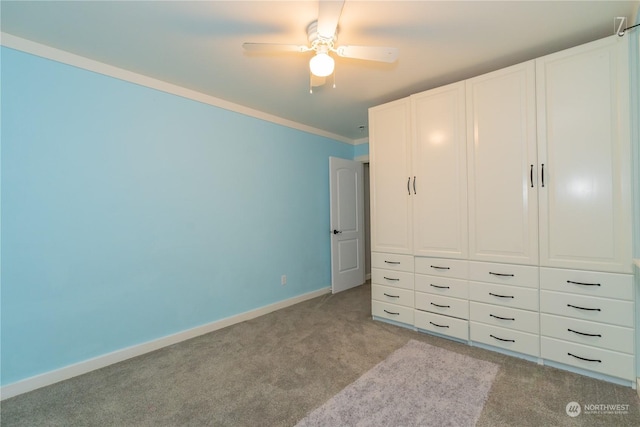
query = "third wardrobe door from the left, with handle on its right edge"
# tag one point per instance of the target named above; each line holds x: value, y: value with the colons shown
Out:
x: 503, y: 184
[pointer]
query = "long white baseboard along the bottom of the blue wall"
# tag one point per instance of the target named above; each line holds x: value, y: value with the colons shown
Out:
x: 89, y: 365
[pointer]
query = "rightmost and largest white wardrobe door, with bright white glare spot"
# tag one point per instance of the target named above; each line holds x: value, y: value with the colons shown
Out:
x: 584, y: 155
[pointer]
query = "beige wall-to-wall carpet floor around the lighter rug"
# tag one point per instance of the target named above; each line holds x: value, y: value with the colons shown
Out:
x: 275, y: 370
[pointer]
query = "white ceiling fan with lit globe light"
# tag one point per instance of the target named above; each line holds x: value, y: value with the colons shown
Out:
x: 322, y: 36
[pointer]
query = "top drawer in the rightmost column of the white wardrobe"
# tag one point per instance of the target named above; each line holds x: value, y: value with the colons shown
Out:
x: 593, y: 283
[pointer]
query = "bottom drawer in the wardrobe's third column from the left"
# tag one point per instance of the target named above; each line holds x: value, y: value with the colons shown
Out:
x: 521, y: 342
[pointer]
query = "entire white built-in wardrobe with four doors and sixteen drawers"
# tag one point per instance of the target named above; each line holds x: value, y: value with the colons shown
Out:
x: 501, y: 211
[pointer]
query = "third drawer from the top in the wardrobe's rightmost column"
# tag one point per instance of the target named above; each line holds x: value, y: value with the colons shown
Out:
x: 609, y: 337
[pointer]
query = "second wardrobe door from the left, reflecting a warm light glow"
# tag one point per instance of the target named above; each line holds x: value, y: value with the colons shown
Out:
x: 439, y: 183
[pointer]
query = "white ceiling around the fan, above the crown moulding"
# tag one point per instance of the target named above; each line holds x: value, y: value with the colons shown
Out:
x: 198, y: 45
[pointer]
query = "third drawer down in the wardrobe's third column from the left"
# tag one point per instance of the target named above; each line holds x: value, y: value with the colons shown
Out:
x: 506, y: 317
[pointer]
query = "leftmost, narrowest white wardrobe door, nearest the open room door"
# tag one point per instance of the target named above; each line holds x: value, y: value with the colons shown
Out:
x: 390, y: 157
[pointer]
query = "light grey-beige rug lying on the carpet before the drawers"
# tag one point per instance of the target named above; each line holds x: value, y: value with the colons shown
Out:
x: 417, y: 385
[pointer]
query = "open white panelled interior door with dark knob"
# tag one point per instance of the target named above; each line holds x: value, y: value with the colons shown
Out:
x: 347, y: 224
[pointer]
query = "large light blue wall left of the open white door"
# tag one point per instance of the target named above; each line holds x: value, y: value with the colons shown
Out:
x: 129, y: 214
